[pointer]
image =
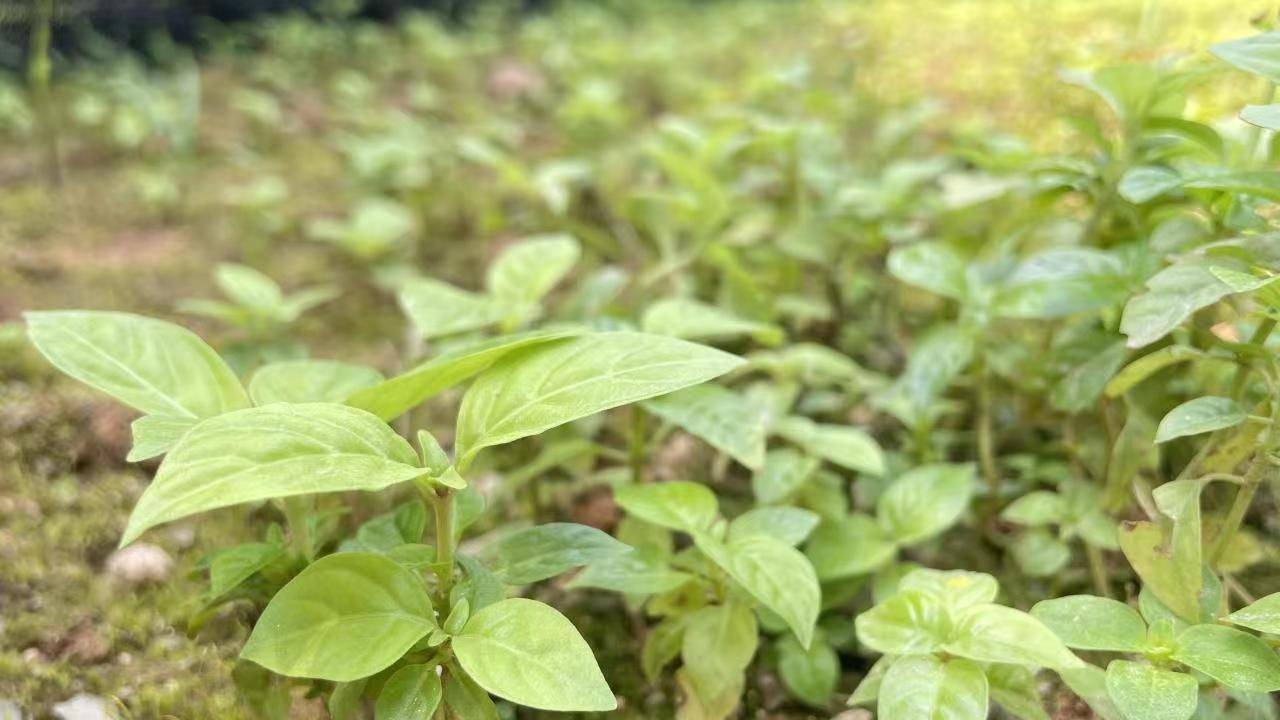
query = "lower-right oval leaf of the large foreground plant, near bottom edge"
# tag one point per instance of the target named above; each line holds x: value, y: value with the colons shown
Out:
x: 529, y: 654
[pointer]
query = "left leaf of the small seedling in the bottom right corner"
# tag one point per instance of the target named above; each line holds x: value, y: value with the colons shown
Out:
x: 1086, y: 622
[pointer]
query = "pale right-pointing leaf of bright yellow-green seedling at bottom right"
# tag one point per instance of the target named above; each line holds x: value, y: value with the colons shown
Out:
x: 994, y: 634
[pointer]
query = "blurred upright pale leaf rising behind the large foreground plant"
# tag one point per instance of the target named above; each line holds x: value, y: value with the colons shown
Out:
x: 529, y: 270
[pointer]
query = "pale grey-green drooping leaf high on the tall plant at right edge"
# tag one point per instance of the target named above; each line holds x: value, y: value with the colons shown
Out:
x: 1172, y: 297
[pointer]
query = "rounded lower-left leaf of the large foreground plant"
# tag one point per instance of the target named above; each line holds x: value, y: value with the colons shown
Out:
x: 344, y: 618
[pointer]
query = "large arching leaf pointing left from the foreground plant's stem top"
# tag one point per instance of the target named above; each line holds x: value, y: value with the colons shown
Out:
x: 280, y: 450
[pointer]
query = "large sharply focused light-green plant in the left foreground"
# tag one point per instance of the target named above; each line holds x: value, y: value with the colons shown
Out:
x: 442, y: 625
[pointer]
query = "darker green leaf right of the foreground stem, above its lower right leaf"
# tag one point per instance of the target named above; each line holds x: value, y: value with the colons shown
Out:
x: 546, y: 552
